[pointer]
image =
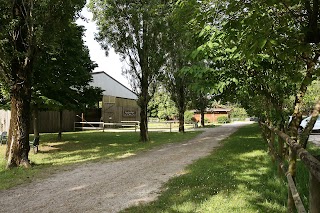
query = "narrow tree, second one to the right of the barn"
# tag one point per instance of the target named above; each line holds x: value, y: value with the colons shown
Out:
x: 180, y: 42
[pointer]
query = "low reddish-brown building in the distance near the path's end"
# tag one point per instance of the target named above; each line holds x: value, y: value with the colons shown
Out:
x: 212, y: 114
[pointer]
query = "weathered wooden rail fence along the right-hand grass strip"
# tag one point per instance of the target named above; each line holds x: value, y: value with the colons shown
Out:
x: 311, y: 163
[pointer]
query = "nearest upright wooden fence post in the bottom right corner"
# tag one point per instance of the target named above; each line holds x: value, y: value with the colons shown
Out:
x: 314, y: 193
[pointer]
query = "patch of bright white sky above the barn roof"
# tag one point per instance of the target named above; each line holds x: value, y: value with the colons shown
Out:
x: 111, y: 64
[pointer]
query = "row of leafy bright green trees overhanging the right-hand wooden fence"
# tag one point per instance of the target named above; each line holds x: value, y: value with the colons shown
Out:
x: 266, y: 53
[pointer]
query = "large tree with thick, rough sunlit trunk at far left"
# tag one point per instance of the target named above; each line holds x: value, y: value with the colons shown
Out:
x: 24, y: 31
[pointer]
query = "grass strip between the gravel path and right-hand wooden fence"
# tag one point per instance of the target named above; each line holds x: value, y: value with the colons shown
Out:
x: 237, y: 177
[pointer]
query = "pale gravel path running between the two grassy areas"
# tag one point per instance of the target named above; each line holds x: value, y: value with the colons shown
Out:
x: 113, y: 186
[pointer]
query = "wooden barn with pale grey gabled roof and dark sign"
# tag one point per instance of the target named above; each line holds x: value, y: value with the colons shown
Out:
x: 119, y: 103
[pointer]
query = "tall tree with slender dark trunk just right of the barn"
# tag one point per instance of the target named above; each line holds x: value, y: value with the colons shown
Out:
x: 134, y: 30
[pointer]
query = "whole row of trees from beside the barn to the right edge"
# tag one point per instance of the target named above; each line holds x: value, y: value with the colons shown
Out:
x: 262, y: 54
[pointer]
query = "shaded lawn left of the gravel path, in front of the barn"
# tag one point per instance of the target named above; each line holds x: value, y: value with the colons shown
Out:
x: 80, y: 147
